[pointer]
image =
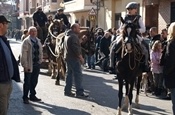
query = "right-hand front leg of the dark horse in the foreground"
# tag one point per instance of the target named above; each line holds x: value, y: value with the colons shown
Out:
x: 130, y: 95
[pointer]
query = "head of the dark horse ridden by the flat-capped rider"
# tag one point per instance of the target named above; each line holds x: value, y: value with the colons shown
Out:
x: 129, y: 31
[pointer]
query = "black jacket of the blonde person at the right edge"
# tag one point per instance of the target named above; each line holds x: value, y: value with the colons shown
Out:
x: 169, y: 65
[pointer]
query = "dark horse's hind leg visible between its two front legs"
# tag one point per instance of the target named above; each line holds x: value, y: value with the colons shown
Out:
x: 126, y: 100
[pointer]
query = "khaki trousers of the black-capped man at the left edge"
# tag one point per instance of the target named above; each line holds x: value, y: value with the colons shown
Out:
x: 5, y: 91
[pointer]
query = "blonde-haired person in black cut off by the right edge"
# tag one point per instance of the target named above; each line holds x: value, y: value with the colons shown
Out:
x: 169, y: 65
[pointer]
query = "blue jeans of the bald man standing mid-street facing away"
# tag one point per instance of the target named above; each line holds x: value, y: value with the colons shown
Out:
x: 74, y: 70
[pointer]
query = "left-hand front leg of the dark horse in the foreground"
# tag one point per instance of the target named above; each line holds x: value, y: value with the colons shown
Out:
x: 120, y: 94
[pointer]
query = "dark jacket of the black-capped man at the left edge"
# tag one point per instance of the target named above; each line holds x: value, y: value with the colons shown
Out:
x: 4, y: 74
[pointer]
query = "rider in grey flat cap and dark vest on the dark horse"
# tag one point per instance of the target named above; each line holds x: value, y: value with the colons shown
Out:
x: 130, y: 17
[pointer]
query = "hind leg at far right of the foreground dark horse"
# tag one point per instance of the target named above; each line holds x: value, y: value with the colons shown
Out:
x: 139, y: 79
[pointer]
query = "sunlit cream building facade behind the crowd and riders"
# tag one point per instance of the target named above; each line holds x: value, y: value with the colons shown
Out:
x: 156, y: 13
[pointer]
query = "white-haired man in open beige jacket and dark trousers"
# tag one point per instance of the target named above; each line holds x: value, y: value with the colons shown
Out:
x: 31, y: 58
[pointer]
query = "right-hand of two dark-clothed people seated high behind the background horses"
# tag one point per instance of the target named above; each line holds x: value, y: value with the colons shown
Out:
x: 61, y: 16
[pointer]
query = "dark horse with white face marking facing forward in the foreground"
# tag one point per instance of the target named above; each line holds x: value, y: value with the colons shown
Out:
x: 129, y: 61
